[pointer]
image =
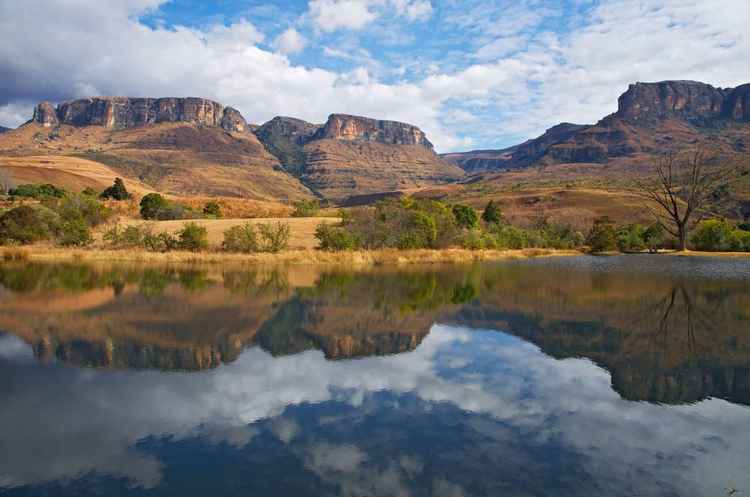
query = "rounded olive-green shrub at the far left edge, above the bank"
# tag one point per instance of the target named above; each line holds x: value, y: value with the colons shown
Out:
x: 26, y: 224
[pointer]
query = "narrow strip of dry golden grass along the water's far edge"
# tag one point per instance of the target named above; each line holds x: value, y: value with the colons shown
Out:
x: 291, y: 257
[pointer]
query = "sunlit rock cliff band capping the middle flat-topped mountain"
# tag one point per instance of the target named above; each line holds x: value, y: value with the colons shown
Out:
x: 363, y: 129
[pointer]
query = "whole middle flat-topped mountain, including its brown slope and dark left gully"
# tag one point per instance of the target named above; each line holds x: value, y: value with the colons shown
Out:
x: 351, y: 155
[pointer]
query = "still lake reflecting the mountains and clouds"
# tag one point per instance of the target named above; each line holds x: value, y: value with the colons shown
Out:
x: 564, y: 377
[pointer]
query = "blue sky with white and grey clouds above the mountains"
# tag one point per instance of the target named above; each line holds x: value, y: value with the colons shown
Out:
x: 472, y: 74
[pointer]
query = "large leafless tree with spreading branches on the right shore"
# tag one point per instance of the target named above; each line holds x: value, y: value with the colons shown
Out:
x: 682, y: 191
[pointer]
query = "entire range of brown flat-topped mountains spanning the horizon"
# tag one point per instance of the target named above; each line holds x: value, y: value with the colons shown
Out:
x: 198, y: 147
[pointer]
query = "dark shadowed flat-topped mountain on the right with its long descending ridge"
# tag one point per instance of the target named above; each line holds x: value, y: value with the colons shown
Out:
x: 652, y: 118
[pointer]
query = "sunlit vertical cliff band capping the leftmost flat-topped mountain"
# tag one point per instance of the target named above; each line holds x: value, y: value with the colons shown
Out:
x: 125, y: 112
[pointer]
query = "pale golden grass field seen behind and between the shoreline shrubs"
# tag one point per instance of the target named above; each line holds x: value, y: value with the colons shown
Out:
x: 302, y: 229
